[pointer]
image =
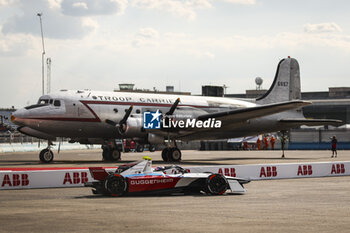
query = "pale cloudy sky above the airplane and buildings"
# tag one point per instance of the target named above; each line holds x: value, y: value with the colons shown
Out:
x: 97, y: 44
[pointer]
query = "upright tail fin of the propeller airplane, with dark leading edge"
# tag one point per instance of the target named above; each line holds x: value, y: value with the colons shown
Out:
x: 286, y: 85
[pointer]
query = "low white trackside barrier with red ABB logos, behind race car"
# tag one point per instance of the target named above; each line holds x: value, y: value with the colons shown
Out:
x: 26, y: 178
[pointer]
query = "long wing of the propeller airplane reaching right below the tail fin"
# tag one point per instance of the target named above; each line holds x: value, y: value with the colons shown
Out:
x: 239, y: 115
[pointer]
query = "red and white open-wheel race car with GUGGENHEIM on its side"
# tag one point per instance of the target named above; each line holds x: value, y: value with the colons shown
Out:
x: 141, y: 179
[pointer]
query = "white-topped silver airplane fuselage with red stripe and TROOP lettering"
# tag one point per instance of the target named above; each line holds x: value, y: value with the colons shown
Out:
x: 82, y: 114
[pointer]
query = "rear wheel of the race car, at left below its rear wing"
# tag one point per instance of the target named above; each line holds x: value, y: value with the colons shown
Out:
x: 115, y: 185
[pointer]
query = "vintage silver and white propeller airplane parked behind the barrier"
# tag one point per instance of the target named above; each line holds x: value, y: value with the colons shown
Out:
x: 92, y: 117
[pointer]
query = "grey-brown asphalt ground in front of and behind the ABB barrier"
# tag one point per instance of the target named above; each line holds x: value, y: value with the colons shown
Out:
x: 294, y: 205
